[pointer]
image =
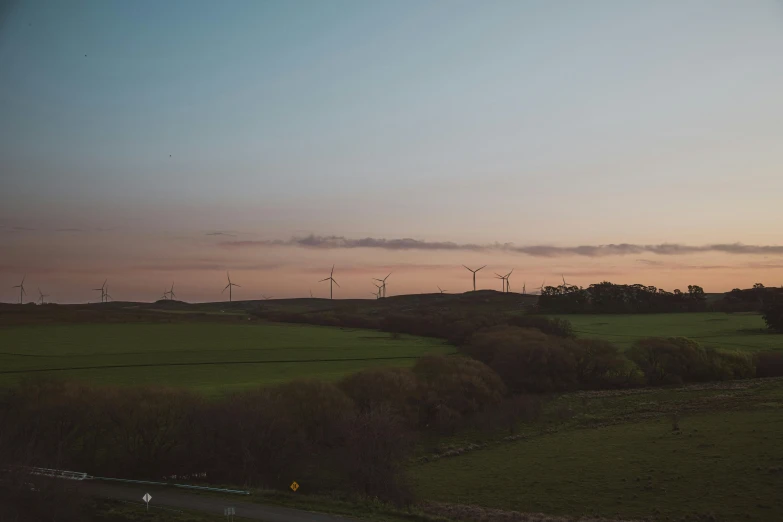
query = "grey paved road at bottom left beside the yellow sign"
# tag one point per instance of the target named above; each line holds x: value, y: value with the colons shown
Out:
x: 208, y: 504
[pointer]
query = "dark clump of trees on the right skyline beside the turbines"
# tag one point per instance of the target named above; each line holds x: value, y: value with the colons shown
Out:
x: 606, y: 297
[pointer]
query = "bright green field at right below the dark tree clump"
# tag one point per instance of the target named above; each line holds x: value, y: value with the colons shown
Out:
x: 744, y: 332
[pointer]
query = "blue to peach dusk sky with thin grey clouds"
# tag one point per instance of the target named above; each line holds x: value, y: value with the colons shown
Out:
x: 155, y: 142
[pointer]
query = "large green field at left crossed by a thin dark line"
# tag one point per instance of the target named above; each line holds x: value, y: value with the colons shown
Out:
x: 204, y: 356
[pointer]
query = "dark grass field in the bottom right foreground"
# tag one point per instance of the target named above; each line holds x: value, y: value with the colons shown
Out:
x: 618, y: 456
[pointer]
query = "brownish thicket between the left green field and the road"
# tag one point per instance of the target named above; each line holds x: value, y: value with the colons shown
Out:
x: 353, y: 436
